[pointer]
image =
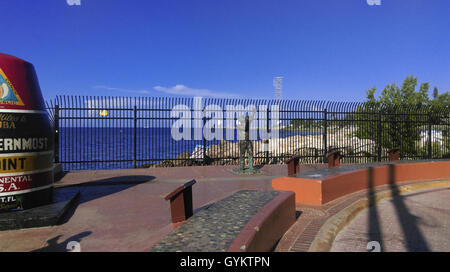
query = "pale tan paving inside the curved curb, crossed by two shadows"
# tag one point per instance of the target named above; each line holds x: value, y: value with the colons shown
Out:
x: 414, y: 221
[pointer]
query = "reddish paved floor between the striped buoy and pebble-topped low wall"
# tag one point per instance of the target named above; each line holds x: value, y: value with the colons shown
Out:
x: 117, y: 214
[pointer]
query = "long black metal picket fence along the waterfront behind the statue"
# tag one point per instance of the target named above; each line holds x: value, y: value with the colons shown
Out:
x: 124, y: 132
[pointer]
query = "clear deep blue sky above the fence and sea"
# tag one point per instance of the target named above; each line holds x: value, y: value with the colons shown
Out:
x: 324, y: 49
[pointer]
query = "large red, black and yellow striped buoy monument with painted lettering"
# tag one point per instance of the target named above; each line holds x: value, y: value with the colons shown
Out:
x: 26, y: 138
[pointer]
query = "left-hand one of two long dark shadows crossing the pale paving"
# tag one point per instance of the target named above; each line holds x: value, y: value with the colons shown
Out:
x: 374, y: 228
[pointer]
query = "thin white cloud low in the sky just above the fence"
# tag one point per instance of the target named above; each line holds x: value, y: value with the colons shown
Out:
x: 178, y: 89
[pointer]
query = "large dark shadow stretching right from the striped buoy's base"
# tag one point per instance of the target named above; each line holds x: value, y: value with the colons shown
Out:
x: 97, y: 189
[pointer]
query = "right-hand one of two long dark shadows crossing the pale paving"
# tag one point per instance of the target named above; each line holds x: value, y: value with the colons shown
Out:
x: 415, y: 241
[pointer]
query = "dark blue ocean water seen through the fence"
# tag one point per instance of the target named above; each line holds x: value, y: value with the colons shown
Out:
x: 114, y: 148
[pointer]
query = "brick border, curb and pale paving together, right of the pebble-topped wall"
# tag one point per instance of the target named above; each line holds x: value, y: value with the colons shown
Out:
x: 419, y: 212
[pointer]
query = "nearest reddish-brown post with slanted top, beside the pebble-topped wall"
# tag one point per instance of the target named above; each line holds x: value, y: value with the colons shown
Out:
x: 181, y: 207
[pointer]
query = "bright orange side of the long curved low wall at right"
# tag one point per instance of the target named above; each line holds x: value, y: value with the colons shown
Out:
x: 318, y: 192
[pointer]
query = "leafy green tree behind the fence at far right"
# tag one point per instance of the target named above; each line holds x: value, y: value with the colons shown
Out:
x: 397, y: 117
